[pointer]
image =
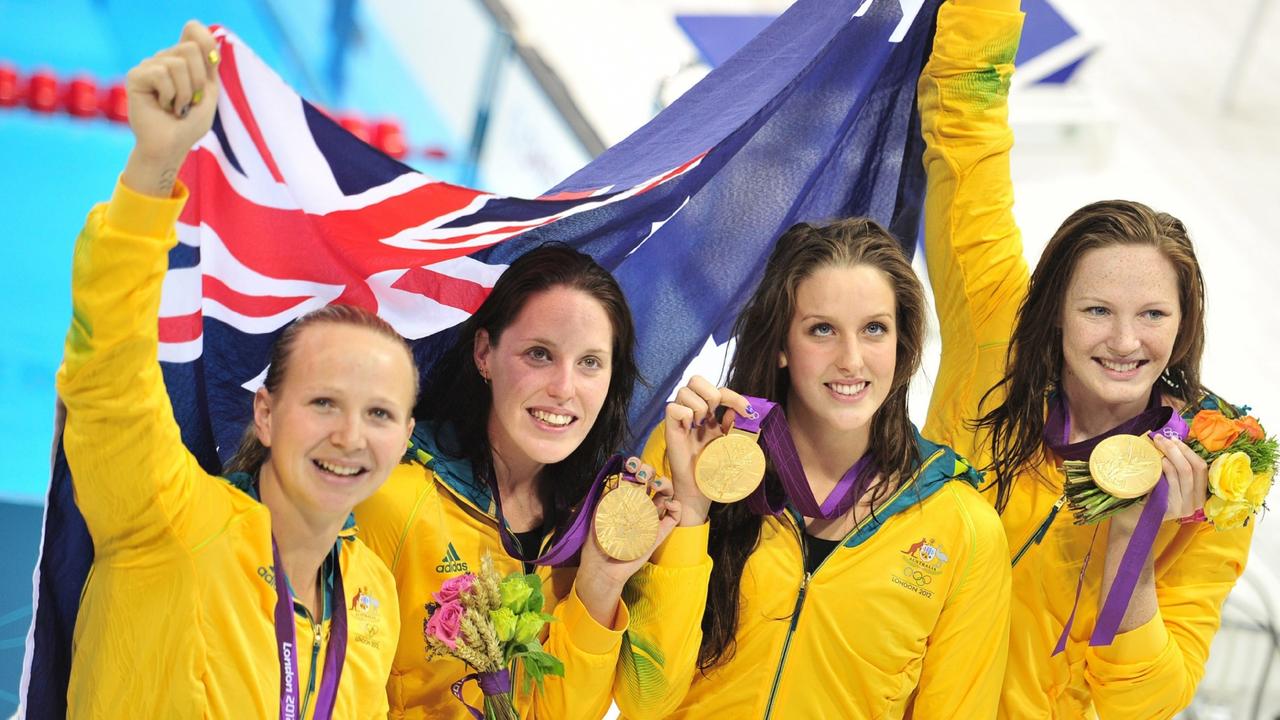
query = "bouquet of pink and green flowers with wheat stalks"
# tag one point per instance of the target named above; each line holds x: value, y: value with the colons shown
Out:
x: 488, y: 623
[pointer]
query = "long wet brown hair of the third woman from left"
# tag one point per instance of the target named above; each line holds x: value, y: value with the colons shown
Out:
x: 761, y: 335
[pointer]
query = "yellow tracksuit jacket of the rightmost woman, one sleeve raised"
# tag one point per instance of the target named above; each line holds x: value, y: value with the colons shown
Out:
x: 980, y: 279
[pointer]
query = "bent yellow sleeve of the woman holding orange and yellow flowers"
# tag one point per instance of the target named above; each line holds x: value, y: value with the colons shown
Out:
x: 1153, y: 671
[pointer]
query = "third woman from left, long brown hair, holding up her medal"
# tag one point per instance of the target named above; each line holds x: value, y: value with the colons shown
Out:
x: 866, y: 577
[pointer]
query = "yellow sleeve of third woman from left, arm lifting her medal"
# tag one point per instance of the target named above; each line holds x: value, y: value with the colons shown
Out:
x: 668, y: 598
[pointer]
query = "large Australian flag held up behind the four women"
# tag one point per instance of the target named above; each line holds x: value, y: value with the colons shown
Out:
x: 815, y: 120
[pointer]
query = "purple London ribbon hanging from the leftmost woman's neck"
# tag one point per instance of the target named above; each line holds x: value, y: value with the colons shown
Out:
x: 287, y: 645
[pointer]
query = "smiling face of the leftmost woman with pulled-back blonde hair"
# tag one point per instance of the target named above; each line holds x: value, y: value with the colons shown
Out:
x: 340, y: 421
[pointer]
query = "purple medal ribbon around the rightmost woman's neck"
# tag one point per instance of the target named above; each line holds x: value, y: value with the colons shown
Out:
x: 1155, y: 420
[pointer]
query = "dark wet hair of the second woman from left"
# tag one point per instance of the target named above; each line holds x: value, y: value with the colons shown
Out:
x: 458, y: 400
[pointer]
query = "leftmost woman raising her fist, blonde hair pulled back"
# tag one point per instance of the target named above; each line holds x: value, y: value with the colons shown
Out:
x: 221, y: 598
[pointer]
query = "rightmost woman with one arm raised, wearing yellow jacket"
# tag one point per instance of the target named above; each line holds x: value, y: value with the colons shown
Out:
x: 1105, y: 334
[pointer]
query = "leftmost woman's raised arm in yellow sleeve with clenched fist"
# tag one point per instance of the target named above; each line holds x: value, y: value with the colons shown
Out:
x: 131, y: 471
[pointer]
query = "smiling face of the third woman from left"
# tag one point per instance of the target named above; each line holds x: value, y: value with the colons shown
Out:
x: 842, y: 349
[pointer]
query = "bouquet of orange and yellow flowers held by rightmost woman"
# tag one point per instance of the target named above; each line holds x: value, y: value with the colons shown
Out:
x: 1241, y: 466
